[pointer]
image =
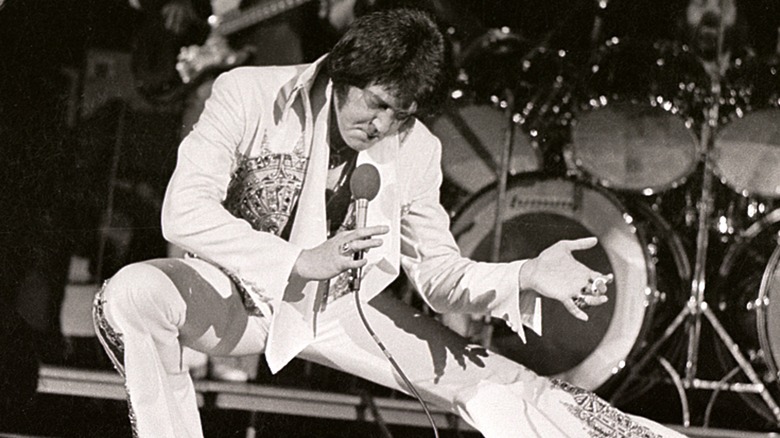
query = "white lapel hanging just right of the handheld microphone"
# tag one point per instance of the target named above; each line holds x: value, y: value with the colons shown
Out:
x: 383, y: 262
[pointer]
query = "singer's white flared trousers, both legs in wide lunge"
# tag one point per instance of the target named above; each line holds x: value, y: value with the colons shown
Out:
x: 156, y: 307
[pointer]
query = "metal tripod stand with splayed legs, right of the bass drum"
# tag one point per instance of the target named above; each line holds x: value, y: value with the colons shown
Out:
x: 690, y: 317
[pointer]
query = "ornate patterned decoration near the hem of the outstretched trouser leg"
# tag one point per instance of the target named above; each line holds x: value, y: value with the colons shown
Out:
x: 602, y: 420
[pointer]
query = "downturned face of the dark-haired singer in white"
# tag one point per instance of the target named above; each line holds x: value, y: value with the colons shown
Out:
x: 366, y: 116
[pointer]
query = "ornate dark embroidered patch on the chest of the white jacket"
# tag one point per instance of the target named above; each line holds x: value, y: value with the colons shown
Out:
x: 264, y: 190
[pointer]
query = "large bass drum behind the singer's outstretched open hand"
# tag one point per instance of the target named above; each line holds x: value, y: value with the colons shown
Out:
x: 643, y: 253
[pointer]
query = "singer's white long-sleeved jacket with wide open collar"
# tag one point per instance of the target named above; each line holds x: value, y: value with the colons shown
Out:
x: 258, y: 110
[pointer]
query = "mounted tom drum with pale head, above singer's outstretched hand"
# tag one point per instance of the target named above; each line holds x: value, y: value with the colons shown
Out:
x: 638, y: 112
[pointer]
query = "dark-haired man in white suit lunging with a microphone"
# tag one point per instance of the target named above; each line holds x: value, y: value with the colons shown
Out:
x: 259, y: 195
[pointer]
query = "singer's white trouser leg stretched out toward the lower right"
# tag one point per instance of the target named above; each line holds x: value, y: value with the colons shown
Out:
x: 499, y: 397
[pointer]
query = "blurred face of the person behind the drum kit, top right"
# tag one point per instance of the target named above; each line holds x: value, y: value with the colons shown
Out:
x: 708, y: 21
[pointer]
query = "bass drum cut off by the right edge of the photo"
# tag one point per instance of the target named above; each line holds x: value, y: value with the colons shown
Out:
x: 749, y: 301
